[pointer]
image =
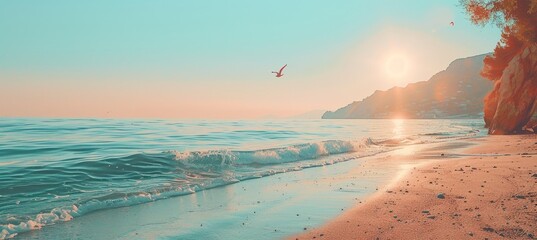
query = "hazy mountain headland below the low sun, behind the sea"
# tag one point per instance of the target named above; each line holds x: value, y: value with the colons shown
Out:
x: 456, y: 92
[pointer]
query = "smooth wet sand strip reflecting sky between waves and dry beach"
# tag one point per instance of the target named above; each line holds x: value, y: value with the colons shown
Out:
x: 266, y: 205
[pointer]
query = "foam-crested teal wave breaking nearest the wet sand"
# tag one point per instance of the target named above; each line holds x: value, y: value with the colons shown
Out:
x: 142, y: 178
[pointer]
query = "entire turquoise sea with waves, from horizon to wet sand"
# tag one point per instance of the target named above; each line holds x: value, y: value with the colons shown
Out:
x: 53, y: 170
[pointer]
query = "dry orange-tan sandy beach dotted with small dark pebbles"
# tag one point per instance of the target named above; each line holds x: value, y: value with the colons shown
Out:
x: 487, y: 192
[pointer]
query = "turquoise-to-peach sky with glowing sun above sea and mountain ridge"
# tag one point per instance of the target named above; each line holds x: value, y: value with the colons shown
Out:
x: 212, y: 59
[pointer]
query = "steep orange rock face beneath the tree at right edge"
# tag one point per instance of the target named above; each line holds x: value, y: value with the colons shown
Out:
x: 510, y: 106
